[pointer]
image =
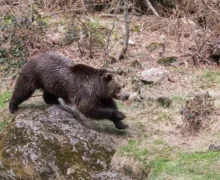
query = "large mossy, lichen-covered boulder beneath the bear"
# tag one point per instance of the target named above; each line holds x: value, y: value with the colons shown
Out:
x: 53, y: 145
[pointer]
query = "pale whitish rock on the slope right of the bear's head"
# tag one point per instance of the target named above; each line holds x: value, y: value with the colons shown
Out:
x: 154, y: 75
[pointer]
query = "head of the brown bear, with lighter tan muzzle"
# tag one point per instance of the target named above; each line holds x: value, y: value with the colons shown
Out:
x: 114, y: 86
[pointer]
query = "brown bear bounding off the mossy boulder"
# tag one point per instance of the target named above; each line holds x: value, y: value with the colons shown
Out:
x: 91, y: 90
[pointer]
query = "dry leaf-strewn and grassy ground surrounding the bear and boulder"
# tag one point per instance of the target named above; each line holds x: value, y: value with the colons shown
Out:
x: 154, y: 145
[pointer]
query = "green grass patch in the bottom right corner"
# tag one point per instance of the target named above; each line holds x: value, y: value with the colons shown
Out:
x: 194, y: 166
